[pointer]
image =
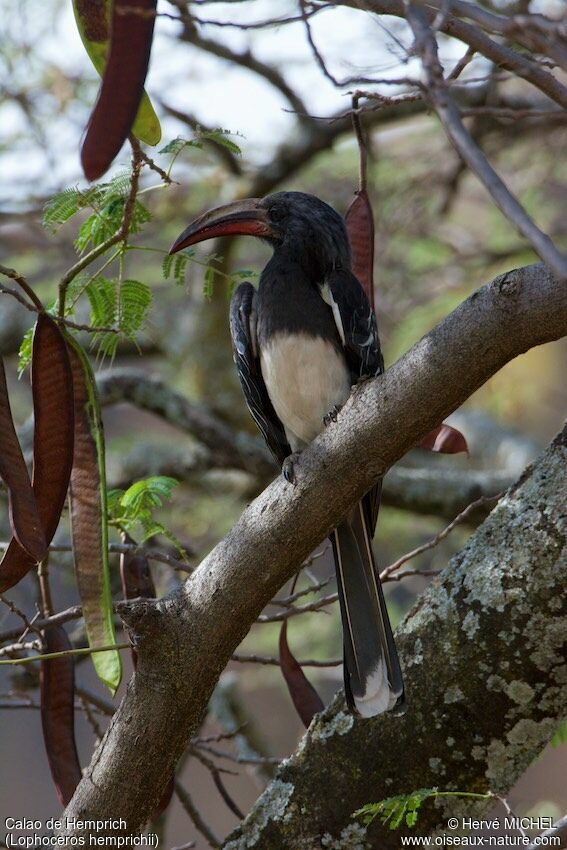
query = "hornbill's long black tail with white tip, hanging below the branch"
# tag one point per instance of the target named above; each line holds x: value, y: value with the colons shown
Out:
x: 373, y: 678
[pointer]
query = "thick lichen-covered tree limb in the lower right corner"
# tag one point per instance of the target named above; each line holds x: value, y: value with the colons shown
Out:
x: 483, y: 652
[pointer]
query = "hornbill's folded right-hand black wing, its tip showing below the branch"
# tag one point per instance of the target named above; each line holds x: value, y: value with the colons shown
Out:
x: 357, y: 327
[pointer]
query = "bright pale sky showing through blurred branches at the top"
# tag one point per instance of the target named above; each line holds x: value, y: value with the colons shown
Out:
x: 215, y: 91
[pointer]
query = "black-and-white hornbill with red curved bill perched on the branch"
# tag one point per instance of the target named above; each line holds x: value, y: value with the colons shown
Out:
x: 300, y: 342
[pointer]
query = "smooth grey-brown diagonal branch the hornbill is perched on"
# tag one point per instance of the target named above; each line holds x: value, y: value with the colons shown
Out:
x: 185, y: 640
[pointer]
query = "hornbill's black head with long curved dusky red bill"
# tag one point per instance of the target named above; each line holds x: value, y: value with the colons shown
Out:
x: 310, y: 231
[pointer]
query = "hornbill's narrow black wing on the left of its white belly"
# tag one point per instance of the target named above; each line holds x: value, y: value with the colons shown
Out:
x: 243, y: 333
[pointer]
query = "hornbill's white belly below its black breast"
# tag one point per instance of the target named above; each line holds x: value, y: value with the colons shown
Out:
x: 305, y: 377
